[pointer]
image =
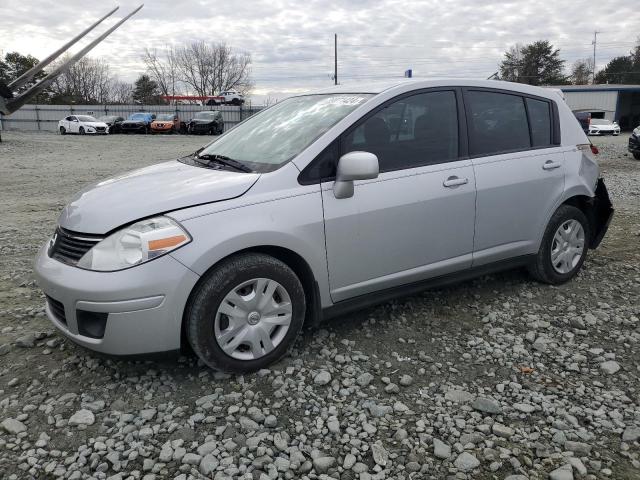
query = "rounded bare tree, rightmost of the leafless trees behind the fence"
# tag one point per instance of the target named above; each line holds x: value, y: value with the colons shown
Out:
x: 211, y: 68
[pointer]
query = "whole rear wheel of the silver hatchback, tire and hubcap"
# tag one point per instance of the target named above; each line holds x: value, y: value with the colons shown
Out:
x: 563, y: 248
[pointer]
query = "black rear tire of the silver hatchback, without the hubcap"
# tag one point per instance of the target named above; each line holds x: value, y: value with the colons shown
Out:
x: 542, y: 268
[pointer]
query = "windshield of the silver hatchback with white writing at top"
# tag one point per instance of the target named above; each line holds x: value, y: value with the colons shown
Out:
x: 279, y: 133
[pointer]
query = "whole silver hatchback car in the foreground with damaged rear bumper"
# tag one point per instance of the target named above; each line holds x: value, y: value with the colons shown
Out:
x: 321, y: 204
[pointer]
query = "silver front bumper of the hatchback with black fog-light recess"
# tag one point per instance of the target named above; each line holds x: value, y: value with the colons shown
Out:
x: 143, y: 305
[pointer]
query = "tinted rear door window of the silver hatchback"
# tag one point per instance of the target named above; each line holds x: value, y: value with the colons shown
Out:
x: 497, y: 123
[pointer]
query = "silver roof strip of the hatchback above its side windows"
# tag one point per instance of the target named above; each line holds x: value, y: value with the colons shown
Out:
x: 404, y: 84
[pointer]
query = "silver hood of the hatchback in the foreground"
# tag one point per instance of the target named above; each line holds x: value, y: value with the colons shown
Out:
x: 148, y: 191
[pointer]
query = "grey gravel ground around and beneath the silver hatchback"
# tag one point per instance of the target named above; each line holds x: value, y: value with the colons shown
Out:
x: 495, y: 378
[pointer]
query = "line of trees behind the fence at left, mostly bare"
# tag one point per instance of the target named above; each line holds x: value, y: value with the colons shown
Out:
x: 197, y: 68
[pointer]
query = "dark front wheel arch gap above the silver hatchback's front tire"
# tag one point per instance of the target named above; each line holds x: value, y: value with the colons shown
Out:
x: 293, y: 260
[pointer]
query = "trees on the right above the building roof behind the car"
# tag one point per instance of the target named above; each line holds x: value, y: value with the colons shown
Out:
x: 540, y: 63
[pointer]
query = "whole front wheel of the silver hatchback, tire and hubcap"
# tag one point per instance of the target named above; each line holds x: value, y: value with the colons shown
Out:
x: 245, y: 314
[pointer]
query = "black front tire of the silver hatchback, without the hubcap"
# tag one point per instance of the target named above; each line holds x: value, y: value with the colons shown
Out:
x: 203, y: 304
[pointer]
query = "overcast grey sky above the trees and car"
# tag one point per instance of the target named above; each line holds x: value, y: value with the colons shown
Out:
x: 291, y: 41
